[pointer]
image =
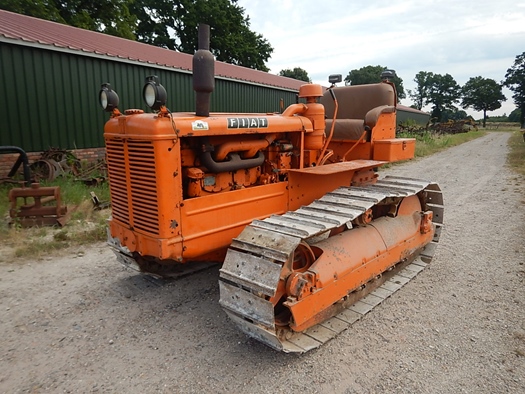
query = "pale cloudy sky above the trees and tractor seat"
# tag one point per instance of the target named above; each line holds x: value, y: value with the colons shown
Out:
x: 463, y: 38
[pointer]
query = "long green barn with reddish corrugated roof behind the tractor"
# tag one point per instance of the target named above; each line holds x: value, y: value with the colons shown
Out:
x: 51, y: 75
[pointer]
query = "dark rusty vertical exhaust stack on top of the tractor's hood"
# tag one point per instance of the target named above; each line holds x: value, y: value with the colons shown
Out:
x: 203, y: 72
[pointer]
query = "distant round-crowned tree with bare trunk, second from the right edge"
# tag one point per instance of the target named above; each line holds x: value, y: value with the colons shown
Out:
x: 482, y: 94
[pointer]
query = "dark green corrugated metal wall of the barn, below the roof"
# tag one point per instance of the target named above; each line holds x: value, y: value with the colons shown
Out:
x: 50, y: 98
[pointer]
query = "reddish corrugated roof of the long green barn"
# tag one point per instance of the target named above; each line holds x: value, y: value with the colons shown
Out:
x: 32, y: 30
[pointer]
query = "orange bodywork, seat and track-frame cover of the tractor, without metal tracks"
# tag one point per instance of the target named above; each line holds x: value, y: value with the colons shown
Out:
x: 183, y: 186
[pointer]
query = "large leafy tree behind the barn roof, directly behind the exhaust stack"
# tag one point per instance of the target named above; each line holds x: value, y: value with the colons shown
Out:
x: 231, y: 39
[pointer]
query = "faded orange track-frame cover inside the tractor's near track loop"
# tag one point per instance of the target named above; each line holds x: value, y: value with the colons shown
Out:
x: 353, y: 258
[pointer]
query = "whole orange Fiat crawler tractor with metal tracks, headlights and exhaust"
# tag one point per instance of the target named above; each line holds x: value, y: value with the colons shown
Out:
x: 291, y: 203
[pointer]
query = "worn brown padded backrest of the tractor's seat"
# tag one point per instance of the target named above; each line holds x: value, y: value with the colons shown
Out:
x: 356, y: 100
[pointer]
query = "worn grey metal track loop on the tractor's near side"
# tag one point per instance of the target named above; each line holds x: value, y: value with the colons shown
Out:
x: 251, y: 271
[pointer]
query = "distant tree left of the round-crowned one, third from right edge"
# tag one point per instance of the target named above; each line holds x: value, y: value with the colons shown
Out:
x: 443, y: 92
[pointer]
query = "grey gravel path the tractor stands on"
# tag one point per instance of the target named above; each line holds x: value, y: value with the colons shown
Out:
x: 82, y: 323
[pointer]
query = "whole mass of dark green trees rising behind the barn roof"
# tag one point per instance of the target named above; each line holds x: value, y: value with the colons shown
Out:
x: 169, y: 24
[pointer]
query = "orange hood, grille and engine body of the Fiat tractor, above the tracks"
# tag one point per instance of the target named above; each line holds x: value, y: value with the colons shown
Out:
x: 166, y: 204
